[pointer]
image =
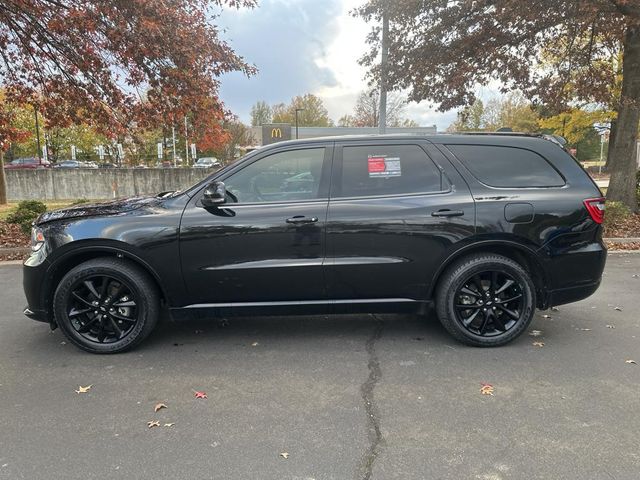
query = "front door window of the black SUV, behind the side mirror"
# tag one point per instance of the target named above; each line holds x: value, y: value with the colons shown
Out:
x: 284, y: 176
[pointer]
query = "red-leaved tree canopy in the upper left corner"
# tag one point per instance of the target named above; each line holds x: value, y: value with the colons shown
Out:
x: 118, y: 63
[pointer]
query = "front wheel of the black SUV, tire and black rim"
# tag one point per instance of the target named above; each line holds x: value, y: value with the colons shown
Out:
x: 109, y: 317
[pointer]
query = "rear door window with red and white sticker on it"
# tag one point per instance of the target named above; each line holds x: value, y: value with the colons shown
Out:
x: 387, y: 170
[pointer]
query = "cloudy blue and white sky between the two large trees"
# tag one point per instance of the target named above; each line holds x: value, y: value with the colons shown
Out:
x: 302, y: 46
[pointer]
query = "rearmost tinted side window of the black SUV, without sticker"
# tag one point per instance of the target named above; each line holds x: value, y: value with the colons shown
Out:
x: 507, y: 166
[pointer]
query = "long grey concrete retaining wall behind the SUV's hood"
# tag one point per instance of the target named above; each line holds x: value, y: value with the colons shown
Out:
x: 71, y: 184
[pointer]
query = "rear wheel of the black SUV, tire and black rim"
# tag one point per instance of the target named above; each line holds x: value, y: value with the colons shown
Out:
x: 490, y: 317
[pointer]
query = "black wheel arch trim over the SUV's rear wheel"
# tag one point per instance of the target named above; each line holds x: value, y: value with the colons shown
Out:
x: 525, y: 256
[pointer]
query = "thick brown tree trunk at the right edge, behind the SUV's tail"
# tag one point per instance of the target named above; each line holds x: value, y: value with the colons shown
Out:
x: 624, y: 164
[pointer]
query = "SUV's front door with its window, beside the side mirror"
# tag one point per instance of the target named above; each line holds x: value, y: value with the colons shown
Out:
x: 266, y: 243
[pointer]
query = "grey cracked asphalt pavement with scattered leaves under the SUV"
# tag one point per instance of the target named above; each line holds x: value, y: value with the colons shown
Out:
x: 346, y: 397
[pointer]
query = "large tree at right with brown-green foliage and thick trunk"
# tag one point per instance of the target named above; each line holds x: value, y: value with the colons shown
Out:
x: 441, y: 51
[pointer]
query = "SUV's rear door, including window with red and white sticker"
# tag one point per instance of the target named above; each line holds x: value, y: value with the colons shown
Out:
x: 393, y: 214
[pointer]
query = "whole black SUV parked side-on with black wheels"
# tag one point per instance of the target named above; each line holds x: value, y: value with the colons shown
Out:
x: 485, y: 227
